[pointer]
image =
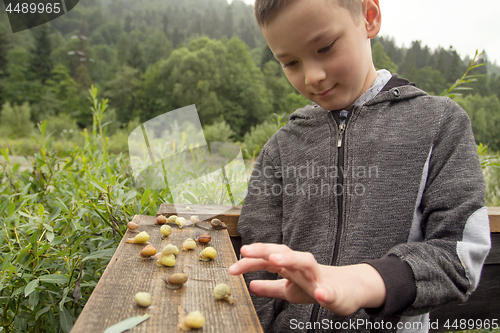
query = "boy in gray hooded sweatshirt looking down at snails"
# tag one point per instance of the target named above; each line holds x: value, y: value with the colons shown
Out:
x: 367, y: 208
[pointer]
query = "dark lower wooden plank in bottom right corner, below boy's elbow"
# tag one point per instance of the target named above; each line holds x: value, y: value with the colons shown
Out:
x: 482, y: 304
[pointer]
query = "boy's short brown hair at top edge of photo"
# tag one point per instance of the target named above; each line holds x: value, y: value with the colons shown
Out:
x: 265, y: 10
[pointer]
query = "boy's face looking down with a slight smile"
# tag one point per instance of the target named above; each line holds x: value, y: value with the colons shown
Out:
x: 324, y: 51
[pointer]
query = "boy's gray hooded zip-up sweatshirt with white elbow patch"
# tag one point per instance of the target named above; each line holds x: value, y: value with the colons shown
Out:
x: 397, y: 184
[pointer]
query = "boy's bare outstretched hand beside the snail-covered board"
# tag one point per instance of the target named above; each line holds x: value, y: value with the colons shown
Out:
x: 342, y: 290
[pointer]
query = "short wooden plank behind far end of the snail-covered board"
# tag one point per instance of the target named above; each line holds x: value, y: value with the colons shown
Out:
x: 227, y: 214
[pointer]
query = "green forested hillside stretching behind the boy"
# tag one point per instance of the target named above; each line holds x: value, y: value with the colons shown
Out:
x: 150, y: 58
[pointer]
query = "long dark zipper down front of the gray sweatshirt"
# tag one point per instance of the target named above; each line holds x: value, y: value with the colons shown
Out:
x: 342, y: 124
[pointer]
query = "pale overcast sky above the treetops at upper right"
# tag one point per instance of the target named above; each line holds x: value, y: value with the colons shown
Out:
x: 466, y: 25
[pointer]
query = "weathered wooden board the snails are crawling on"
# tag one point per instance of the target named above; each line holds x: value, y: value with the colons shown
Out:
x: 127, y: 273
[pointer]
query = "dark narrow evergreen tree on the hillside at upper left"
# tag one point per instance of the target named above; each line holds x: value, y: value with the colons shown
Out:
x: 40, y: 63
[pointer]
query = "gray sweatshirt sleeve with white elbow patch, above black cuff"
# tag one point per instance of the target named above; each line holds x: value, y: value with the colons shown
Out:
x: 455, y: 237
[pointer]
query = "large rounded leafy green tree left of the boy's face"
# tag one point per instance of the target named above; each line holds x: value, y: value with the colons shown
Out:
x: 219, y: 77
